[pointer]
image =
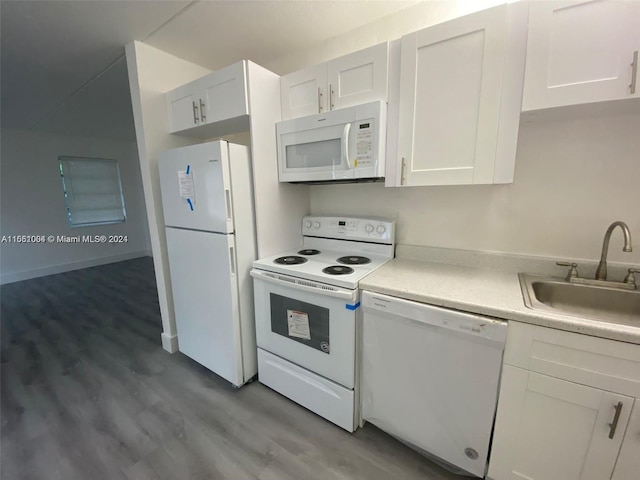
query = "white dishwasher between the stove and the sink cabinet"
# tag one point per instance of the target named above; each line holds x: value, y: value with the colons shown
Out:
x: 430, y: 377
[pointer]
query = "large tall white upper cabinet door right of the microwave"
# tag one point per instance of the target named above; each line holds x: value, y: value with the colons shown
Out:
x: 450, y: 83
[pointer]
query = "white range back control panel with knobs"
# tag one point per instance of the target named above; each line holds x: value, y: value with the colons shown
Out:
x: 378, y: 230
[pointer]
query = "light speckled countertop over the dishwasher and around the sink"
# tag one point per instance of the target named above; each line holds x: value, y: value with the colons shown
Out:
x: 481, y: 290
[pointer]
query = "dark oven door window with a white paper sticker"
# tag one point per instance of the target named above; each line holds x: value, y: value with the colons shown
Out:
x: 301, y: 322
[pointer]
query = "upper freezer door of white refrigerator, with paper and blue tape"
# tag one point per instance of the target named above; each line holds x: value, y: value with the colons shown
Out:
x: 195, y: 187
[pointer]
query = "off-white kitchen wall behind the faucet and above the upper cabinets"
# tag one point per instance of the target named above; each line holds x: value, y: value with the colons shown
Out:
x: 573, y: 177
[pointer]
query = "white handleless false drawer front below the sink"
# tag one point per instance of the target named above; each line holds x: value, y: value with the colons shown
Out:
x: 597, y: 362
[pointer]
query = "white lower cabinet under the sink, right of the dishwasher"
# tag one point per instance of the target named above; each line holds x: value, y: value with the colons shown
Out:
x: 572, y: 428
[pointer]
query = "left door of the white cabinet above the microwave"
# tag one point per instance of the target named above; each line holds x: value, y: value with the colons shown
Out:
x: 304, y: 92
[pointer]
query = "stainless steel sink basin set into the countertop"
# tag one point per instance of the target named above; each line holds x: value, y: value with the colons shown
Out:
x: 577, y: 300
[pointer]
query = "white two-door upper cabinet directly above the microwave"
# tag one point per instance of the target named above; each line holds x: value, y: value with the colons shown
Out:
x: 359, y: 77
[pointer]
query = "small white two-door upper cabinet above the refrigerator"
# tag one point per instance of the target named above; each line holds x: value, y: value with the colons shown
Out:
x: 199, y: 107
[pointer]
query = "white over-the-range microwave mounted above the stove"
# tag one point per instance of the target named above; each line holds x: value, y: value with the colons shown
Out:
x: 346, y: 145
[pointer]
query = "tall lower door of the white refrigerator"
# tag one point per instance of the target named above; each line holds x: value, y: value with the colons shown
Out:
x: 205, y: 296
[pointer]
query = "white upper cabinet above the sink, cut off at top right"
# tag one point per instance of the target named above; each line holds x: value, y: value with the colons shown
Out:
x: 581, y: 52
